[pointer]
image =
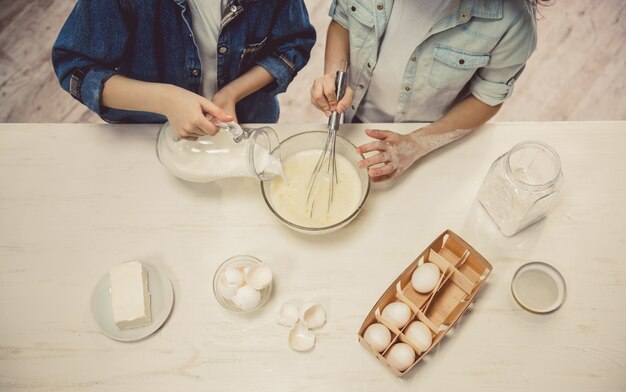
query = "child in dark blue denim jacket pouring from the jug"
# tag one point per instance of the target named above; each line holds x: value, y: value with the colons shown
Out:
x: 139, y: 60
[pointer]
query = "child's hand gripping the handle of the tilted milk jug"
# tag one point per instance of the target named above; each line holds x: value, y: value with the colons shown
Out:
x: 189, y: 113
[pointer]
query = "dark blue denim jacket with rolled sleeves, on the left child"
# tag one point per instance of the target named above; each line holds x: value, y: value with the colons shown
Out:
x: 152, y: 40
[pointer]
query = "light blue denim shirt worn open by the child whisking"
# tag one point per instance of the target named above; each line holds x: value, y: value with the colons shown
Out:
x: 480, y: 49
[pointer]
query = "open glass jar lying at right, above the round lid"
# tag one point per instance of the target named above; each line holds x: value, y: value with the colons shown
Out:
x: 522, y: 186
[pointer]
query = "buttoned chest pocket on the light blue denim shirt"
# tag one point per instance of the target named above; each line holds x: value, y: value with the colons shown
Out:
x: 453, y: 68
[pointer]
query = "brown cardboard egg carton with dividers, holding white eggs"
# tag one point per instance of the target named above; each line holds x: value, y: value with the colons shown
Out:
x: 463, y: 272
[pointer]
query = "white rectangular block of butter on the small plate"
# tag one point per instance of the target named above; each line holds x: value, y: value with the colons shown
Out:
x: 130, y: 297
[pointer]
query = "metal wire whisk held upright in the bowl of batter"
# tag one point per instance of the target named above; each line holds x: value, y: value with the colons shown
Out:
x: 326, y: 166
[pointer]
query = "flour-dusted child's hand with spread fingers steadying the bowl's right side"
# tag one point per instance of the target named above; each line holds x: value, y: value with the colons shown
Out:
x: 396, y: 153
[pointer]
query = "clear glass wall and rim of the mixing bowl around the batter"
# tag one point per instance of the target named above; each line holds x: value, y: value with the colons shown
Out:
x: 315, y: 140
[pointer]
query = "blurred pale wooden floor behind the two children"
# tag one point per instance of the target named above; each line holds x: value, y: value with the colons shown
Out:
x: 576, y: 73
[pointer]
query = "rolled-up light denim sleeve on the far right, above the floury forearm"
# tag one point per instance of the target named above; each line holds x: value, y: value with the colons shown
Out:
x: 493, y: 83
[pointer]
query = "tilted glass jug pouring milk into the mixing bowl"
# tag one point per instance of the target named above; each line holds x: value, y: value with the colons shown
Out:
x: 232, y: 152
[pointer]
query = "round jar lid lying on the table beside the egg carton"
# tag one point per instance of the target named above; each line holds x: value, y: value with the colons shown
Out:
x: 538, y: 287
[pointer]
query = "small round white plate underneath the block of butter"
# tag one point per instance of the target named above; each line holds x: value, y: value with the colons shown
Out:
x: 161, y: 301
